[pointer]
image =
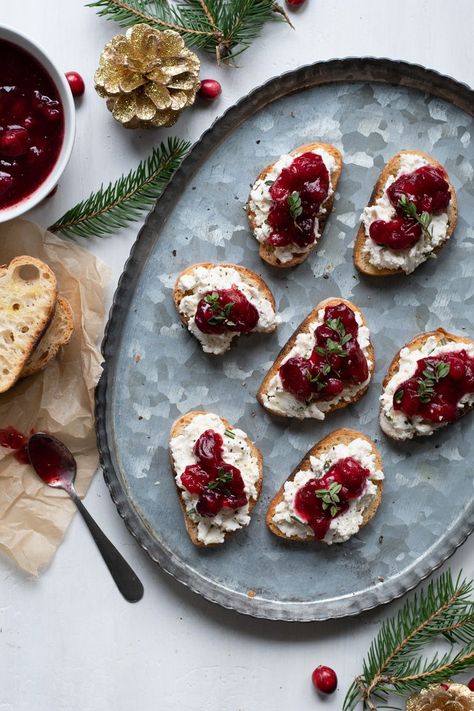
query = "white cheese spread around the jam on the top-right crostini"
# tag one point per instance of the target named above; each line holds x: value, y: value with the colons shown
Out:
x: 406, y: 259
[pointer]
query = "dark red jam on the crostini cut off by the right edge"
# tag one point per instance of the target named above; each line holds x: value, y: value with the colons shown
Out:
x: 438, y: 384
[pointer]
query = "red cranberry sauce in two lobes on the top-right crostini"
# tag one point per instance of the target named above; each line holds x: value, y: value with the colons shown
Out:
x: 428, y: 189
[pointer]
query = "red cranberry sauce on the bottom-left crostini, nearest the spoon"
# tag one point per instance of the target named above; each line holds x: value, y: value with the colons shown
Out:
x: 217, y: 484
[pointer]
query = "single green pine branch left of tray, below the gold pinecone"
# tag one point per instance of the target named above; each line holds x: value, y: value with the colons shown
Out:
x: 114, y: 206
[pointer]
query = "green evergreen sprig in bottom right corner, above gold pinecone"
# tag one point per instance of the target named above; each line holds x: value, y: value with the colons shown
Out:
x: 393, y: 663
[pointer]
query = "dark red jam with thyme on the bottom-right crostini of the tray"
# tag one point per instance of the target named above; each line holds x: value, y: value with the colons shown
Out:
x: 321, y: 500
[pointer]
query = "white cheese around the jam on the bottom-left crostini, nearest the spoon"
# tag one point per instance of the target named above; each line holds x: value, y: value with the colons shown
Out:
x: 237, y: 452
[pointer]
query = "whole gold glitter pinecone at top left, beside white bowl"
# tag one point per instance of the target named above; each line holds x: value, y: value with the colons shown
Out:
x: 147, y: 76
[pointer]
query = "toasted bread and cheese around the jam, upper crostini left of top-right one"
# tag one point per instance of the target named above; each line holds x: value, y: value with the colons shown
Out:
x: 291, y: 256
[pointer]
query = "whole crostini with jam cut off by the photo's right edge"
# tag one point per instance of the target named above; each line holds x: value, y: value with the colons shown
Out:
x: 429, y: 384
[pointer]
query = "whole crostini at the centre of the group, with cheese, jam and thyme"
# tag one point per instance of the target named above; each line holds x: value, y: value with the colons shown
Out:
x: 326, y: 364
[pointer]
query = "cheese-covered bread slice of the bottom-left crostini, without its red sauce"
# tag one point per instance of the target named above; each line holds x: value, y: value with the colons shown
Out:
x: 238, y: 450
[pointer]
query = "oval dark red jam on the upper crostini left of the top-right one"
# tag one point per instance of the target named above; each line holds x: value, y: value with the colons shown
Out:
x: 297, y: 195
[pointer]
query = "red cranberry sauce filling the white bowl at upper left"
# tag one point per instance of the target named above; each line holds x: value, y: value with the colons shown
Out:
x: 31, y: 124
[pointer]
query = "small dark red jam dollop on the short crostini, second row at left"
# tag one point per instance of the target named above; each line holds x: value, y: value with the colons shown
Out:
x: 226, y: 310
